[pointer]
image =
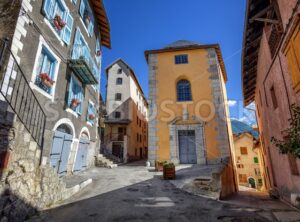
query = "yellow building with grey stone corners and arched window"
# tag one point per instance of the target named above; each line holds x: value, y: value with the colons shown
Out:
x: 188, y: 120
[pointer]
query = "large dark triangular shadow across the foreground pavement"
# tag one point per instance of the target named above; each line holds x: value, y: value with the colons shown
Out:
x: 150, y: 200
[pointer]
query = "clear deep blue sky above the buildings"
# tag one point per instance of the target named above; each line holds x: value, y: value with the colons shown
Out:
x: 139, y: 25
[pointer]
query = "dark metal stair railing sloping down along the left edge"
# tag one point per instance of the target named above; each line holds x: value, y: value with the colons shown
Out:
x: 15, y: 90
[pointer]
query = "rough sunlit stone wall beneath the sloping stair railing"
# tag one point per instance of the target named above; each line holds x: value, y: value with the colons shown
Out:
x: 26, y: 186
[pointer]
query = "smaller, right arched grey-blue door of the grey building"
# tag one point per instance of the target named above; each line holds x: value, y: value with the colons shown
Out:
x: 82, y: 153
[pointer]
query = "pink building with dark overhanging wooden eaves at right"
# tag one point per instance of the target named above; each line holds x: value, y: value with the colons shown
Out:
x: 271, y: 78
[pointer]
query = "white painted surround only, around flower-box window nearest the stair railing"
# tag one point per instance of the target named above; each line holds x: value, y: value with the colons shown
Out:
x: 43, y: 44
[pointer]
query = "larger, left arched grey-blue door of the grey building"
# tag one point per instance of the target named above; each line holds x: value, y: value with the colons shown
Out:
x: 61, y: 146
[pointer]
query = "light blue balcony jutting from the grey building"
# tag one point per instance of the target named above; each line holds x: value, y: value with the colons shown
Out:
x: 84, y: 66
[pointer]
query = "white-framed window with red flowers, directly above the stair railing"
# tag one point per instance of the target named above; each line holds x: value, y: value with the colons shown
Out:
x: 45, y: 70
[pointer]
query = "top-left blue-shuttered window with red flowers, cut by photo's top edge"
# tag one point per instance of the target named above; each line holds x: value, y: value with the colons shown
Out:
x: 59, y: 17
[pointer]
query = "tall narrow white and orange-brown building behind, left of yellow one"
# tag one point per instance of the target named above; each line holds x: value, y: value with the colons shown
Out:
x: 126, y: 124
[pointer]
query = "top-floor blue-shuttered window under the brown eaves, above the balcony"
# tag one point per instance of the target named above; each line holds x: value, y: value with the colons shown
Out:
x: 87, y: 17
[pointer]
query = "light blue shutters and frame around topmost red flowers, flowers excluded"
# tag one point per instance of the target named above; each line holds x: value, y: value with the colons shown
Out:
x: 49, y: 8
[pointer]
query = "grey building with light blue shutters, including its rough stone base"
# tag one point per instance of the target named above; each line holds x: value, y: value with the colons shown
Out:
x: 43, y: 136
